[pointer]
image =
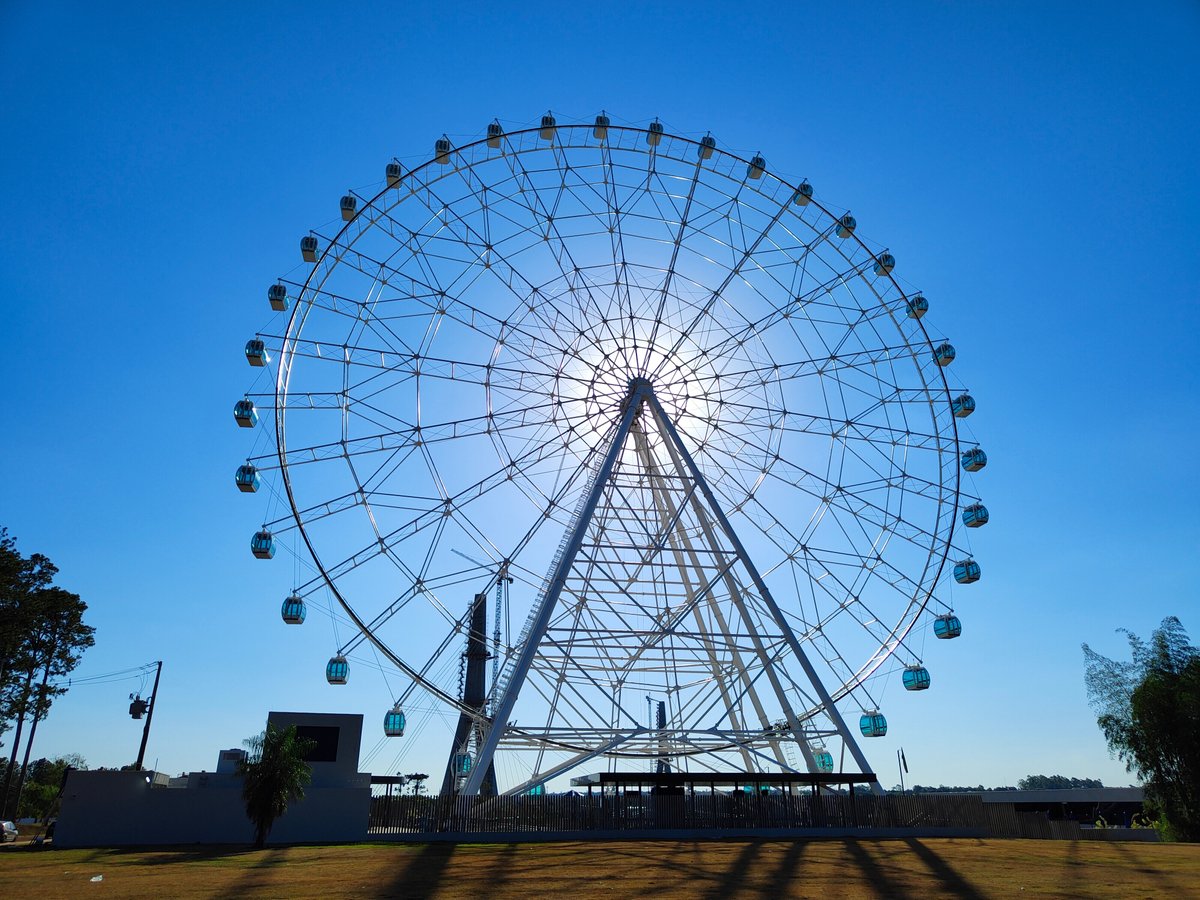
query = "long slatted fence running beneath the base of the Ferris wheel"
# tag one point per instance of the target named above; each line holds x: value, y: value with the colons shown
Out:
x: 634, y: 812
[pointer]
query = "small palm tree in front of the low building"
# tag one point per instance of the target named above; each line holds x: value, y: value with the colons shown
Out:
x: 274, y: 776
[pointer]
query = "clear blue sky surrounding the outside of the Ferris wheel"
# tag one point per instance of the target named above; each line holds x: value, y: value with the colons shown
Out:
x: 1034, y: 167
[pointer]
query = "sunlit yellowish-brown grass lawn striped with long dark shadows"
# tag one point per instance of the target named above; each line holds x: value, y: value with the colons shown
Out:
x: 919, y: 869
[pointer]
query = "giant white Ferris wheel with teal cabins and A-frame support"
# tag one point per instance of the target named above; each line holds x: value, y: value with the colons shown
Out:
x: 621, y: 451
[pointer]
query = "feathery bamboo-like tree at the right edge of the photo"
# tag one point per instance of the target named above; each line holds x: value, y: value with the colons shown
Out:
x: 1149, y: 710
